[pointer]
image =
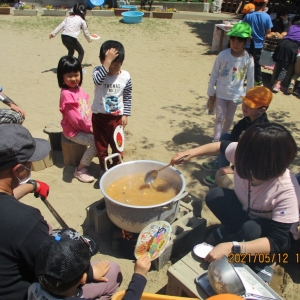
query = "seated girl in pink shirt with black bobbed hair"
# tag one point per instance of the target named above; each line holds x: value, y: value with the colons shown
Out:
x: 76, y: 113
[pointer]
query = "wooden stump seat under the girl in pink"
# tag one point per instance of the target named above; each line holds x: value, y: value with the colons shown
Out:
x: 72, y: 152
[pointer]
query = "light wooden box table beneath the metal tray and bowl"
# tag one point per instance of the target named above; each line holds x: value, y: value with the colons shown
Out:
x: 181, y: 277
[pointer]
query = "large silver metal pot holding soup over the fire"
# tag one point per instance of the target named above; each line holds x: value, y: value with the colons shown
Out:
x: 135, y: 218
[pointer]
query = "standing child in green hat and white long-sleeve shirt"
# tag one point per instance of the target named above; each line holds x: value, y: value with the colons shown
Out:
x: 231, y: 67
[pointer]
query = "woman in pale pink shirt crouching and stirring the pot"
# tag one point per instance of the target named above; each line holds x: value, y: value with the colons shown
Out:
x: 257, y: 216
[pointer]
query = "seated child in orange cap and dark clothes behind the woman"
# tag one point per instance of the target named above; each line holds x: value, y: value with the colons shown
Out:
x: 254, y: 106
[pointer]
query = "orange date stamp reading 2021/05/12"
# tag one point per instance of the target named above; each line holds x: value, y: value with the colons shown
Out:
x: 263, y: 258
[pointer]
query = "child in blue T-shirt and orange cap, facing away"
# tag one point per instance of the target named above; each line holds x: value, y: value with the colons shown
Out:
x: 261, y: 25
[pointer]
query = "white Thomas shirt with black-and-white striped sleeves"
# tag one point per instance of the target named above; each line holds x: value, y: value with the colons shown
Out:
x: 113, y: 94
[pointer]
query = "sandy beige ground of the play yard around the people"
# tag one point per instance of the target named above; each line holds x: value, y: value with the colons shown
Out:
x: 169, y: 62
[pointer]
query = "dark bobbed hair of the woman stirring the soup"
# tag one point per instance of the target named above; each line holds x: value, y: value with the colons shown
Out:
x: 264, y: 152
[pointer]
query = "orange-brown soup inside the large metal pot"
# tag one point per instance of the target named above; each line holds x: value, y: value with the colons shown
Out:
x: 132, y: 190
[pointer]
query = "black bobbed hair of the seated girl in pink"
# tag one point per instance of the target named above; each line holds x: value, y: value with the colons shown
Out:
x: 68, y: 64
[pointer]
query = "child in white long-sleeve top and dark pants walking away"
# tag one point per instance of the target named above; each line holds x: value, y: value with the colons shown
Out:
x: 72, y: 26
